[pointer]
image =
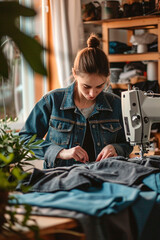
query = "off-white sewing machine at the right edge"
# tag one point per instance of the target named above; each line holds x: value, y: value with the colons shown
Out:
x: 140, y: 110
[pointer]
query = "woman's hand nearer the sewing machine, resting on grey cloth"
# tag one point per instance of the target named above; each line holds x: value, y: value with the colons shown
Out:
x: 108, y: 151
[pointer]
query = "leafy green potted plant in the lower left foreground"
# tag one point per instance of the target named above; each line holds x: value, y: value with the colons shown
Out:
x: 13, y: 157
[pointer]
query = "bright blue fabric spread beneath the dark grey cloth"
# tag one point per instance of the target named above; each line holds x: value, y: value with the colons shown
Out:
x: 111, y: 198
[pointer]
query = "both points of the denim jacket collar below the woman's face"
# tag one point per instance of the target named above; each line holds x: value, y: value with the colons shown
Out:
x: 102, y: 102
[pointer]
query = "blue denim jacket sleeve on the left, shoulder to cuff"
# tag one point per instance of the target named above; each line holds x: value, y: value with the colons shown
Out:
x: 37, y: 124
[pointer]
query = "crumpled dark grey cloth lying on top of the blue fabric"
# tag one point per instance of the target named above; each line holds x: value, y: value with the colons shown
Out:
x: 114, y: 169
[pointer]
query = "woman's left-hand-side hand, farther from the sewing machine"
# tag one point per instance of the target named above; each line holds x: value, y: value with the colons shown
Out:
x: 78, y: 153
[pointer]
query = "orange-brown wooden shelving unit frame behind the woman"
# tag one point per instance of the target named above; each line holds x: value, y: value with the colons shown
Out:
x: 130, y: 24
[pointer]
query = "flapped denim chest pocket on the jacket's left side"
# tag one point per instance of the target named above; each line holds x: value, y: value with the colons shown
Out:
x: 60, y: 132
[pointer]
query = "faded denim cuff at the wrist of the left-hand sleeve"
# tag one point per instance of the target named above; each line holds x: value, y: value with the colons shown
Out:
x: 50, y: 156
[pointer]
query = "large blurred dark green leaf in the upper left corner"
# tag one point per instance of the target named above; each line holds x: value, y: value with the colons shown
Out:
x: 30, y: 48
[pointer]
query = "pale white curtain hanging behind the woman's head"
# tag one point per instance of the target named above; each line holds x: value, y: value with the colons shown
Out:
x: 68, y: 35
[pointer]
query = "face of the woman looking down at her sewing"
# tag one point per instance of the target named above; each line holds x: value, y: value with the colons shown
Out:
x: 89, y: 86
